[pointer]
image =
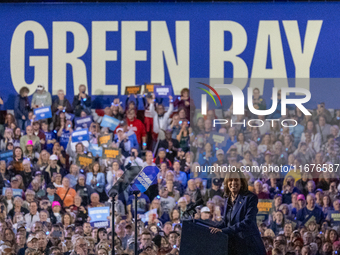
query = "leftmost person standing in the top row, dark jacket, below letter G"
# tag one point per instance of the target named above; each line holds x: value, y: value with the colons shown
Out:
x: 21, y: 107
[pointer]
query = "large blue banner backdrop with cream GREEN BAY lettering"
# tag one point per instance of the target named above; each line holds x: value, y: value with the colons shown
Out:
x: 46, y: 36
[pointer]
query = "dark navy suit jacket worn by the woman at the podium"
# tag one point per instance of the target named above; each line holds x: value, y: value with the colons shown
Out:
x: 243, y: 232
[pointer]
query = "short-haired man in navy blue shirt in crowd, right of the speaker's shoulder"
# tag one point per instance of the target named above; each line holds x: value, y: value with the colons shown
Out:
x: 310, y: 211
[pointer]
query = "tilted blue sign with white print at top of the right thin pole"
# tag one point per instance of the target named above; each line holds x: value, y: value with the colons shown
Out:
x: 145, y: 178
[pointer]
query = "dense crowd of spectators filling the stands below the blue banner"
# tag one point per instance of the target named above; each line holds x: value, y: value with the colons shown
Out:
x: 46, y: 194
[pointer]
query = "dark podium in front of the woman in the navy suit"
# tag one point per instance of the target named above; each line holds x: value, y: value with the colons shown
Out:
x: 196, y: 239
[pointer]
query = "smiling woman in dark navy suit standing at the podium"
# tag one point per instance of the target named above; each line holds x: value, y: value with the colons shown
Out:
x: 239, y: 222
